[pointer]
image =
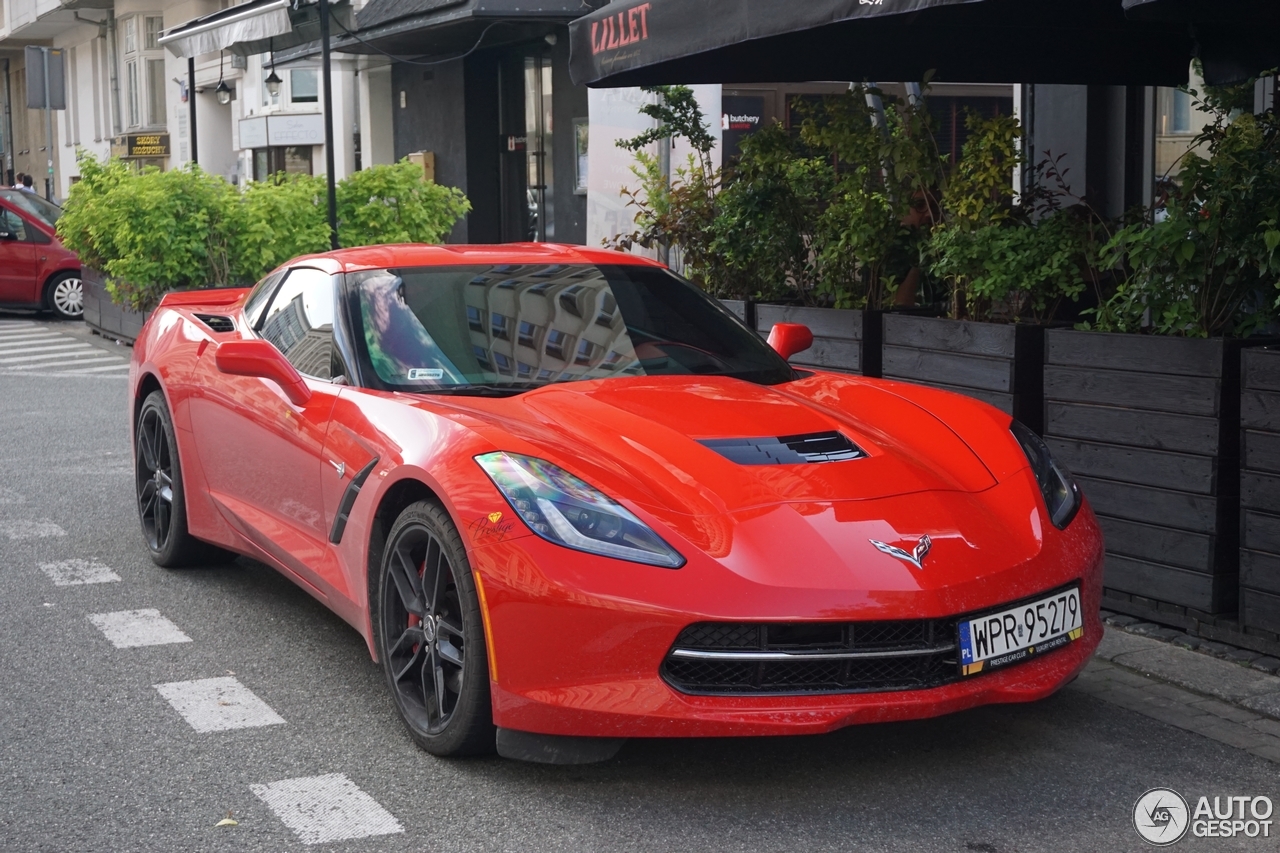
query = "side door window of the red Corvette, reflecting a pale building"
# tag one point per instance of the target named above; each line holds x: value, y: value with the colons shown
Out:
x: 300, y: 322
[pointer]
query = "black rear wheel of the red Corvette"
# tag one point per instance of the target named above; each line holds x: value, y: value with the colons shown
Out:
x: 162, y: 498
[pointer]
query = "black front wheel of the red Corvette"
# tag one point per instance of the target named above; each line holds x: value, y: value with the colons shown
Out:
x: 447, y: 710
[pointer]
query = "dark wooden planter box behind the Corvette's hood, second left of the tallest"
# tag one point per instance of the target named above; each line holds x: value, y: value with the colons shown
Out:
x: 1000, y: 364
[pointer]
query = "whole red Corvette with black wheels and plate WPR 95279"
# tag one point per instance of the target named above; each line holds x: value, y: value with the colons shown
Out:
x: 569, y: 499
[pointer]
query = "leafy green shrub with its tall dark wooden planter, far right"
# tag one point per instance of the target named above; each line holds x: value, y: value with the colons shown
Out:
x: 1145, y: 405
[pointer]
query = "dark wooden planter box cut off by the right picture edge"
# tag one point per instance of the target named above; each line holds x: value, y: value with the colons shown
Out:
x: 1260, y: 491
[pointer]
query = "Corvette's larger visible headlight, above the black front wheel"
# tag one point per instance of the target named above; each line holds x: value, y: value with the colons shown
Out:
x: 565, y: 510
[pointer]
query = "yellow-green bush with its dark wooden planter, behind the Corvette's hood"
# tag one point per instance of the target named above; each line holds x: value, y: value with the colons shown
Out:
x: 1008, y: 267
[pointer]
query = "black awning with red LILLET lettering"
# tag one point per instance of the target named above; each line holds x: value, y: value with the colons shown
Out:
x: 634, y: 43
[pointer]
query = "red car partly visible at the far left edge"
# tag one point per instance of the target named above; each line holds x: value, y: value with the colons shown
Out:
x: 36, y: 271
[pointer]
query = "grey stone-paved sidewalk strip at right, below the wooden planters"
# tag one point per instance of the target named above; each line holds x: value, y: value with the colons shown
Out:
x: 1226, y: 701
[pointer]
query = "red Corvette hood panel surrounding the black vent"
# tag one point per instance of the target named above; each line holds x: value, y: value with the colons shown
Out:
x: 639, y: 439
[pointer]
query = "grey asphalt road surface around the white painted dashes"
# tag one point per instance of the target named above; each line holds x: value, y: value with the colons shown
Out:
x: 93, y: 758
